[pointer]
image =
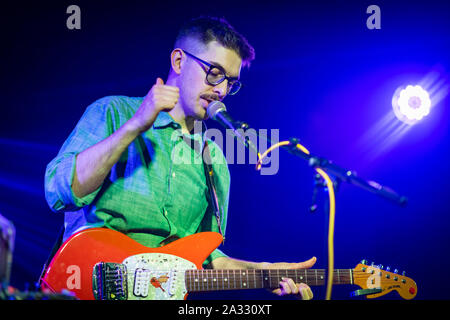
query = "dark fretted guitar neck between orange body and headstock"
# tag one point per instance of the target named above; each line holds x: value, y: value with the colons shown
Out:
x: 213, y: 280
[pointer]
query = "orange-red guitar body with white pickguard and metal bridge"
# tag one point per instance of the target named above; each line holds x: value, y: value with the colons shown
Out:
x: 77, y: 267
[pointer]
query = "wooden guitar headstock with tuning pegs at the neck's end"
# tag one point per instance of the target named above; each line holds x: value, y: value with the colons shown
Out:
x: 372, y: 277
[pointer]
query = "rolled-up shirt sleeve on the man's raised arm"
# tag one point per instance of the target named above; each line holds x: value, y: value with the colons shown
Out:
x: 95, y: 125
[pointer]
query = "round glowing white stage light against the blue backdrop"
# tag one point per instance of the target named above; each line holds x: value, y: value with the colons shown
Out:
x: 411, y: 104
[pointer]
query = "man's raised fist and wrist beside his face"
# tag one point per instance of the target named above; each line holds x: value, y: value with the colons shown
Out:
x: 161, y: 97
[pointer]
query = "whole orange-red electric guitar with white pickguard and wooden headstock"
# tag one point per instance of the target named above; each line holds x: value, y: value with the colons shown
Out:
x: 103, y: 264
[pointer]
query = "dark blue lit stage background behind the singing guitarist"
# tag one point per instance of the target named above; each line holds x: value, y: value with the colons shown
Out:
x: 320, y: 75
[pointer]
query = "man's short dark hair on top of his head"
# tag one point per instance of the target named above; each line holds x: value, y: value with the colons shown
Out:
x: 207, y: 29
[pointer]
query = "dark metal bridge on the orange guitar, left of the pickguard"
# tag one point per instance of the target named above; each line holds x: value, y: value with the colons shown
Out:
x: 109, y: 281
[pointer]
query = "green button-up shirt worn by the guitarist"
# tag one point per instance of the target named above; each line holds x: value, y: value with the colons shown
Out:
x: 156, y: 191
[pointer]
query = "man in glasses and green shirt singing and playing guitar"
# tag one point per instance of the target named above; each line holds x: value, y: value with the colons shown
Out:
x: 117, y: 168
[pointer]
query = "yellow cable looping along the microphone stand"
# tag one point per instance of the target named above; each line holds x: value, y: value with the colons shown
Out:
x: 332, y: 210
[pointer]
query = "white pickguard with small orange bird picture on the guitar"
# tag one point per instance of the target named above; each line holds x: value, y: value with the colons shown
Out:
x: 156, y: 276
